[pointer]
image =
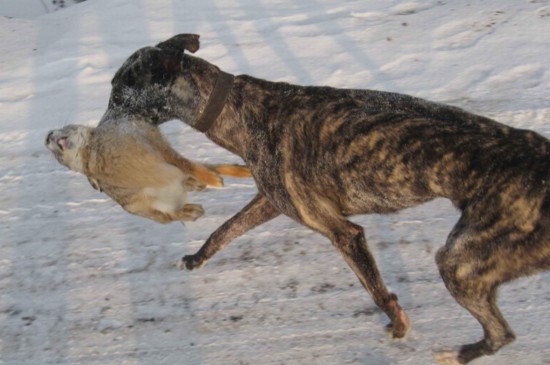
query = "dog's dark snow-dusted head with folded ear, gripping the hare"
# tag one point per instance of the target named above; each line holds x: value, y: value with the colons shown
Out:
x: 156, y: 83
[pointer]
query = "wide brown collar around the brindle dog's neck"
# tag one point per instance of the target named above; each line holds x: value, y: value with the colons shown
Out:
x: 215, y: 103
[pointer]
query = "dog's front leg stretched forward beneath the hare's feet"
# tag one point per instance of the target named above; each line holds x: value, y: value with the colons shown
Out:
x: 258, y: 211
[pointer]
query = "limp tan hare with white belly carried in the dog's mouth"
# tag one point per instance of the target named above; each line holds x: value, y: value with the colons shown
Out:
x: 136, y: 166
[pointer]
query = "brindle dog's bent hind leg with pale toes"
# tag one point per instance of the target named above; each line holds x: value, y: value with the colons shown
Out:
x: 472, y: 275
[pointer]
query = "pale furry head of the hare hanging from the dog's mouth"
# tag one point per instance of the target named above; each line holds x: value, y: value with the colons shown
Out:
x: 67, y: 144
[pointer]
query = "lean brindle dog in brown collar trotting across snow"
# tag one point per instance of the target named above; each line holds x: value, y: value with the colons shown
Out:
x: 320, y: 155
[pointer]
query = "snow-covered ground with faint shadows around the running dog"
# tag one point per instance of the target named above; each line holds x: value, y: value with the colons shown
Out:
x: 83, y: 282
